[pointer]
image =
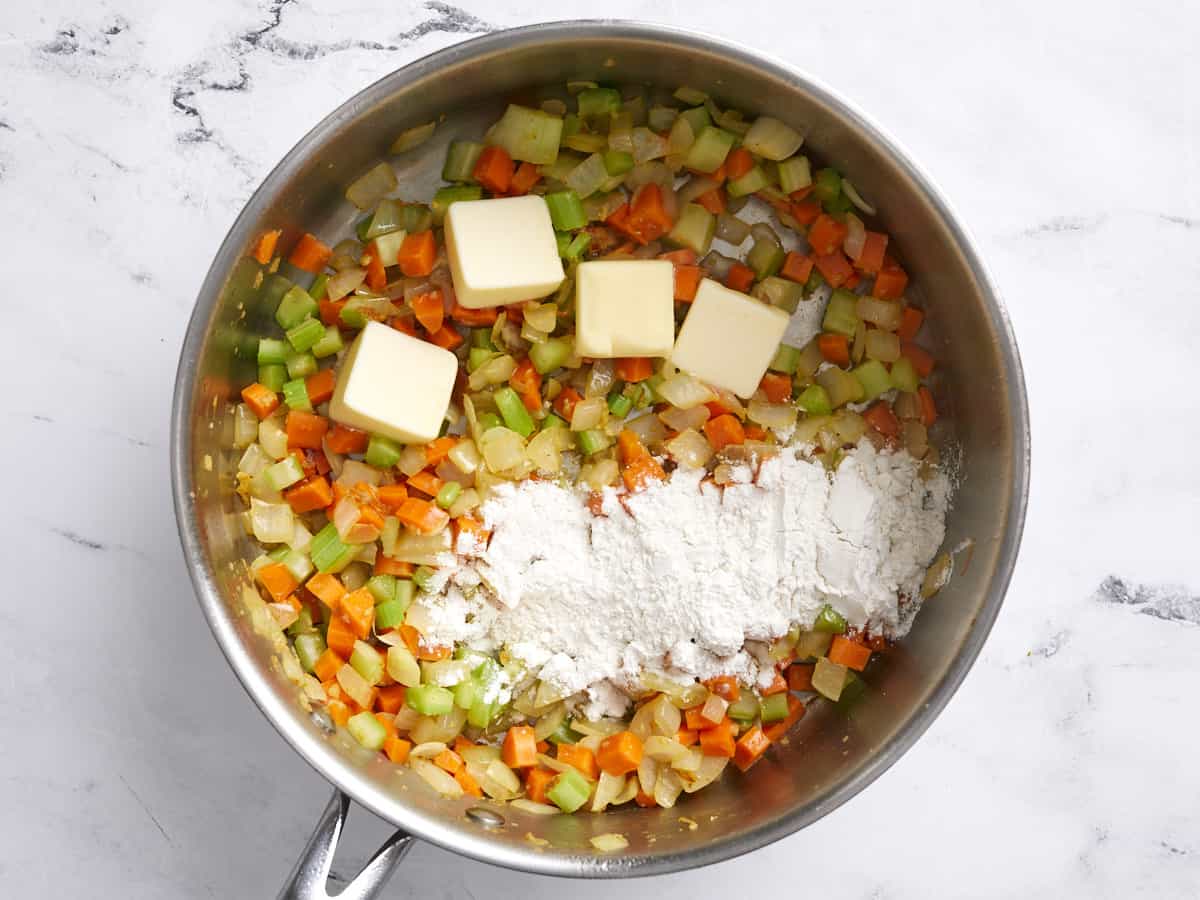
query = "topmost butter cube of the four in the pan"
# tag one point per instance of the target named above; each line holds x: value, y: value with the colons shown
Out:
x: 502, y: 251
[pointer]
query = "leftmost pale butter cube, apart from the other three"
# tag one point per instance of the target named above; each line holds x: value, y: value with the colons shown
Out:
x: 395, y: 386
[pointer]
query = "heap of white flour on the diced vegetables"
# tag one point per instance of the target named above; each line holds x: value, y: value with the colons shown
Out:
x: 679, y: 579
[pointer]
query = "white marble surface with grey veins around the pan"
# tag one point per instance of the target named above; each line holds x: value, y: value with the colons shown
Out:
x: 1066, y: 134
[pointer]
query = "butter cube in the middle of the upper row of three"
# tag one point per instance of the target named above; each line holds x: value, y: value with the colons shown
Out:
x: 625, y: 309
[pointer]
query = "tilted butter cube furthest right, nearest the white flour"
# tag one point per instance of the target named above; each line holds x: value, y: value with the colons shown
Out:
x: 729, y: 339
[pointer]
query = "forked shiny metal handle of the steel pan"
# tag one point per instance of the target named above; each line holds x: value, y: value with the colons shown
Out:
x: 310, y: 878
